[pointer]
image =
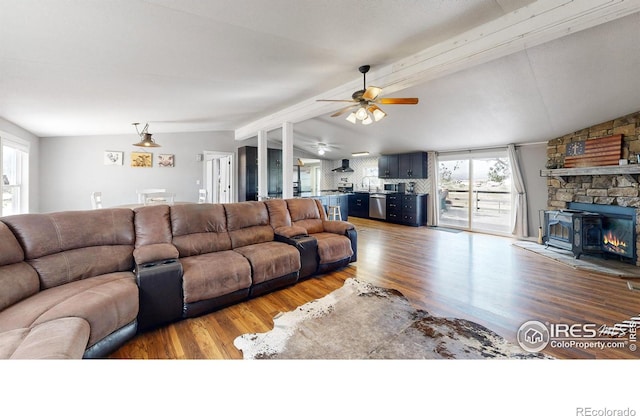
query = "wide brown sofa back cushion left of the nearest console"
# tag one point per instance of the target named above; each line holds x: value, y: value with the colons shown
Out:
x: 73, y: 245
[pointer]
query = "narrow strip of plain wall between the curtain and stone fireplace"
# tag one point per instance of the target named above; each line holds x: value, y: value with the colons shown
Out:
x: 533, y: 157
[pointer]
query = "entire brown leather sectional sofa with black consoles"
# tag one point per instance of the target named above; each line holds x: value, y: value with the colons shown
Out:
x: 81, y: 283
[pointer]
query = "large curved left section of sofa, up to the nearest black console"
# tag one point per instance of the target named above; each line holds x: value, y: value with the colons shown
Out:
x: 67, y: 284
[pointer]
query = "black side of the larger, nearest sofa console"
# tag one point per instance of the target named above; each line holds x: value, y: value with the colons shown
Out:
x: 160, y: 293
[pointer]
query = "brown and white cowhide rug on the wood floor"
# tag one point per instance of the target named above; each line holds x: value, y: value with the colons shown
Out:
x: 363, y: 321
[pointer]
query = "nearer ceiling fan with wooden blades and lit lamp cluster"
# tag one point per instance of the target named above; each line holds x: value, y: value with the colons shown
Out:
x: 364, y: 102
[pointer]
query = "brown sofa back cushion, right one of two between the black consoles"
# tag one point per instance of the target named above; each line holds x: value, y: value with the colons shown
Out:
x: 248, y: 223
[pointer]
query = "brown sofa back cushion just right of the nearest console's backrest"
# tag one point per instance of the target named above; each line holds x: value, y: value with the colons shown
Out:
x: 199, y: 229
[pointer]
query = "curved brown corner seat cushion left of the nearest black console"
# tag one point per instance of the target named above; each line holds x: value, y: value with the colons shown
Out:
x: 108, y: 302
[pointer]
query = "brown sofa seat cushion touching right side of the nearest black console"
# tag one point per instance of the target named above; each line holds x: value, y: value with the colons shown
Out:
x: 211, y: 275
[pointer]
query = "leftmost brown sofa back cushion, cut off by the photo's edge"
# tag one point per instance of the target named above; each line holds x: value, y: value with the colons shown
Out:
x: 18, y: 280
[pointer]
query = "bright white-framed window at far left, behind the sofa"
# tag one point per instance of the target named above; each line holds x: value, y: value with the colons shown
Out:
x: 15, y: 169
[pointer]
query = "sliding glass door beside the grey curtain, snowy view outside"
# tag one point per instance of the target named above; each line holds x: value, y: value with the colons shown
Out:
x: 474, y: 191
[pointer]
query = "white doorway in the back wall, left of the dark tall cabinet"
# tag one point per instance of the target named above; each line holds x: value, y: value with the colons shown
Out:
x: 219, y: 177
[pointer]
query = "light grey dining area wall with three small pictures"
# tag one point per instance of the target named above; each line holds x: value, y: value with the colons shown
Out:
x: 73, y: 167
